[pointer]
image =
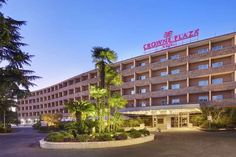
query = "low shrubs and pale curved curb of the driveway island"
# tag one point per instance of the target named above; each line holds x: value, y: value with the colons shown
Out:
x: 64, y: 140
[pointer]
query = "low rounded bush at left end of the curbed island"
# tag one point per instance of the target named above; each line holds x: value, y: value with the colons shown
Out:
x: 59, y: 137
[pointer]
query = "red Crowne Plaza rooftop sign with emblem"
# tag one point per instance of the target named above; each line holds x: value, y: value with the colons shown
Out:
x: 170, y: 40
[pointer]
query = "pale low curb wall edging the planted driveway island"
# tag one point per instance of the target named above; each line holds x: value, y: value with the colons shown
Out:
x: 92, y: 145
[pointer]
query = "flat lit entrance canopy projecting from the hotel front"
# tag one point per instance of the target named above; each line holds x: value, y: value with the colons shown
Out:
x: 163, y: 110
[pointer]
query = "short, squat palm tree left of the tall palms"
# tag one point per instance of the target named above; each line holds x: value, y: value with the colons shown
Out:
x: 81, y: 109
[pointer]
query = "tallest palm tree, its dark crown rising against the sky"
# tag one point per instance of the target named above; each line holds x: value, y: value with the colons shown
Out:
x: 102, y: 57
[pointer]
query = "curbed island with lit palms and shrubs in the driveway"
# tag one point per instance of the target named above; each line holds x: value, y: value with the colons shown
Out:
x: 97, y: 123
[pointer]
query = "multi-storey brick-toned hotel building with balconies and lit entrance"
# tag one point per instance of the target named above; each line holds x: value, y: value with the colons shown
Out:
x: 167, y: 86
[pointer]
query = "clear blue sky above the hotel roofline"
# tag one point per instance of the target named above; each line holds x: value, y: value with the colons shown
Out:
x: 61, y: 33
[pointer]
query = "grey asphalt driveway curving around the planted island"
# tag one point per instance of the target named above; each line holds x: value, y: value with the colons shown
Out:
x: 24, y: 143
